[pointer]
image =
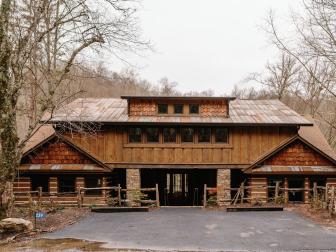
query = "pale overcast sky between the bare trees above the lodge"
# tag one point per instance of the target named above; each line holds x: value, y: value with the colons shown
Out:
x: 205, y: 44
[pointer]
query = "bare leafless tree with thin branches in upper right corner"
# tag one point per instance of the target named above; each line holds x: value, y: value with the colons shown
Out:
x: 313, y: 46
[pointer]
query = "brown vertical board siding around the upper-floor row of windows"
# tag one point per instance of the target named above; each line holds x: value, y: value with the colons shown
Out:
x: 245, y: 145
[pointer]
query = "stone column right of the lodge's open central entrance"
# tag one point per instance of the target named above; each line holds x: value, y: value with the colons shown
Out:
x: 223, y: 181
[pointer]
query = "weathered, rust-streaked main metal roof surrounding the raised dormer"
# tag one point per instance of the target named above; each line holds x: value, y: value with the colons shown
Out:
x: 112, y: 110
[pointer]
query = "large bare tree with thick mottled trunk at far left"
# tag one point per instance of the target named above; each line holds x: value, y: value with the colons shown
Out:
x: 40, y: 42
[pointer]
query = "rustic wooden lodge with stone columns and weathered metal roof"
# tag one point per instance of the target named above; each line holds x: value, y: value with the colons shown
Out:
x: 179, y: 143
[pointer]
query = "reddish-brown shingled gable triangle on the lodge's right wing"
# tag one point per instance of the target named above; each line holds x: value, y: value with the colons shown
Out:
x: 298, y: 154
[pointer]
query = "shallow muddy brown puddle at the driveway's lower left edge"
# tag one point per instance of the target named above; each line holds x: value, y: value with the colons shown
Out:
x: 50, y: 245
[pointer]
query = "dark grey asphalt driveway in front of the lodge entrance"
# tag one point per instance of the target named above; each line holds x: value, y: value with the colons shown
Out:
x: 197, y: 229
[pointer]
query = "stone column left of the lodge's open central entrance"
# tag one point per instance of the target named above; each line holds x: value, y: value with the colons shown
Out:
x: 133, y: 183
